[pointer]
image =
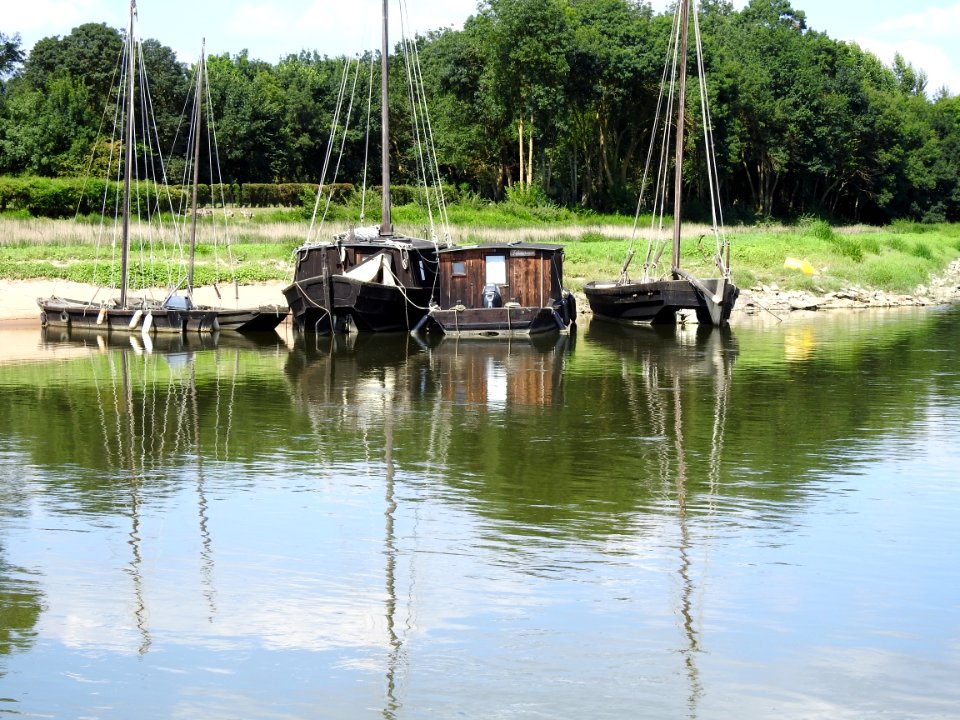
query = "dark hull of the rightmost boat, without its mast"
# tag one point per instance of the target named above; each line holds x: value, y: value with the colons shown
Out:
x: 658, y: 301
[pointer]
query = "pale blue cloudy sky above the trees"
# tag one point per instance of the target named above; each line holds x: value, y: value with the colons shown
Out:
x: 923, y: 31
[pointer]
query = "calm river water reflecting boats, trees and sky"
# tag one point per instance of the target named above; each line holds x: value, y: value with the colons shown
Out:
x: 626, y: 523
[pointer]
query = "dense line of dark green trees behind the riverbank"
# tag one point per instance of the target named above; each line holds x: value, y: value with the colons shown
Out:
x: 552, y: 99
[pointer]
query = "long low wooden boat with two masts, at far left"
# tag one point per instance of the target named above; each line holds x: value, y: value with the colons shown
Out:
x: 176, y: 313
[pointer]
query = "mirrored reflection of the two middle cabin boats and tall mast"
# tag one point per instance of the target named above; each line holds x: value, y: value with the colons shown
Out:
x: 388, y: 407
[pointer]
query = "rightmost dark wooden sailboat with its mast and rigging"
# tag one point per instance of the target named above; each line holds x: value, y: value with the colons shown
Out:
x: 658, y: 299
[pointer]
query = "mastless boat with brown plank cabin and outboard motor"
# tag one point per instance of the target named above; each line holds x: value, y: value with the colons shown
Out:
x: 501, y: 289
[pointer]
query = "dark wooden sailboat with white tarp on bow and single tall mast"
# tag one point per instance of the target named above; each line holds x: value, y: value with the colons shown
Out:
x: 370, y: 279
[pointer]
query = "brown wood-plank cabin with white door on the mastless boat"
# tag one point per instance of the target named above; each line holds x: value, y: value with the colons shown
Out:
x: 527, y: 275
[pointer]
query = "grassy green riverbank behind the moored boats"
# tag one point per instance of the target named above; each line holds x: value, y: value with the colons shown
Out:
x: 894, y: 259
